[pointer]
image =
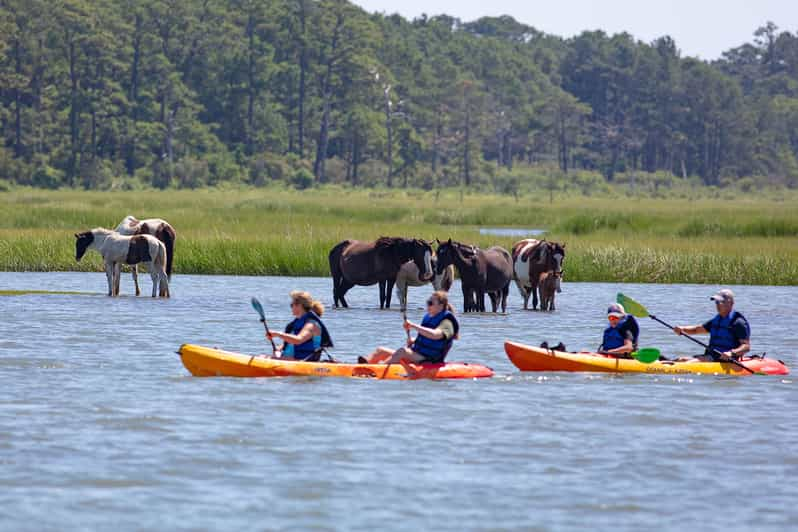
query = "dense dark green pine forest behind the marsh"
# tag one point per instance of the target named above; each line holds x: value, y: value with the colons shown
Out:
x: 191, y: 93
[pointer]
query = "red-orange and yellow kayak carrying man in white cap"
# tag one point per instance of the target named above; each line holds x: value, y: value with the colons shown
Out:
x: 528, y: 358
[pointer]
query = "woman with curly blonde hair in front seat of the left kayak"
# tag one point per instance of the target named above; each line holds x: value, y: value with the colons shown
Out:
x: 306, y: 336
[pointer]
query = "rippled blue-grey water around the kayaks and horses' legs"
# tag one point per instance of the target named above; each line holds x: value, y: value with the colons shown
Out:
x: 101, y: 426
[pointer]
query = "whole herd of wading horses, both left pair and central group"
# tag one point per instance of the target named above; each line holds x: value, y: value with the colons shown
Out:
x: 536, y: 266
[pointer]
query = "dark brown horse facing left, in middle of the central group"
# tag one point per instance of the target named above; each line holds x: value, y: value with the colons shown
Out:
x: 481, y: 271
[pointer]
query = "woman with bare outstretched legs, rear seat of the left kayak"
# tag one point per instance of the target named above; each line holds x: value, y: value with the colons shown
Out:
x: 436, y: 333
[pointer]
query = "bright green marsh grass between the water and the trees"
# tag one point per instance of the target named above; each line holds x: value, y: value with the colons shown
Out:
x: 274, y: 231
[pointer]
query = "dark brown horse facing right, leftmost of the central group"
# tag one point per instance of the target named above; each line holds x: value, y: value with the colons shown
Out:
x: 363, y: 263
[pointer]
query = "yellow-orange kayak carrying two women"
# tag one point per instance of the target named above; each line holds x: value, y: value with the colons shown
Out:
x: 209, y: 362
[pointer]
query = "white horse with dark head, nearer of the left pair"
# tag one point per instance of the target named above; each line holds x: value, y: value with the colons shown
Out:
x: 117, y: 249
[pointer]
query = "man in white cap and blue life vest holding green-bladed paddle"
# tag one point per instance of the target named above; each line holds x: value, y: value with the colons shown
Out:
x: 729, y: 332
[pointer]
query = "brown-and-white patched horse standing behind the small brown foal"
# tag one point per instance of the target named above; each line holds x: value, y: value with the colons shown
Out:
x: 532, y: 257
